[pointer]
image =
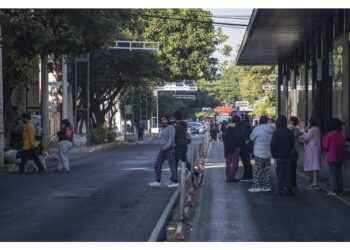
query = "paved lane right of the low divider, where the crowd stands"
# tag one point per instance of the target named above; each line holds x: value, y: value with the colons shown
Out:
x: 228, y: 212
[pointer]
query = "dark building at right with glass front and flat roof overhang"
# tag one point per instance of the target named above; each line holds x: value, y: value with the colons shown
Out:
x: 311, y: 49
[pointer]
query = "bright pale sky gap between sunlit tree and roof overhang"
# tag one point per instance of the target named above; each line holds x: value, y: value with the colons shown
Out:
x: 235, y: 35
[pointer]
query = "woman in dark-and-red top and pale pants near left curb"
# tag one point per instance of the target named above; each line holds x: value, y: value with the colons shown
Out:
x: 65, y: 138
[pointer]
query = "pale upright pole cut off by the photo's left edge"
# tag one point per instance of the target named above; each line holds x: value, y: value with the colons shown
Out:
x: 1, y: 107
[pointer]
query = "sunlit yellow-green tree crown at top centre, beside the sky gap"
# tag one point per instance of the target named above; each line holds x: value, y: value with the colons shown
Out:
x: 185, y: 47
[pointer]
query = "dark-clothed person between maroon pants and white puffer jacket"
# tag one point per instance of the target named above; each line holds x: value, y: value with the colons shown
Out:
x: 246, y: 150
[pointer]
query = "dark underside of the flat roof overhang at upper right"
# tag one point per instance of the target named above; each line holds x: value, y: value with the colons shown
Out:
x: 272, y: 34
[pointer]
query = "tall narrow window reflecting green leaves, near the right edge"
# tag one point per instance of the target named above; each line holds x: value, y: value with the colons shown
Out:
x: 337, y: 84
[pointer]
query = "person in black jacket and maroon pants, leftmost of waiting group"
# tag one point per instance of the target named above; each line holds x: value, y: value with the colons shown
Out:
x: 233, y: 143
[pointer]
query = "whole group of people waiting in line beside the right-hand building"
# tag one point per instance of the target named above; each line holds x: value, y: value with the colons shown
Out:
x: 269, y: 139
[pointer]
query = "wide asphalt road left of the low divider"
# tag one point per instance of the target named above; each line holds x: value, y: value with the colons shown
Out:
x: 106, y: 197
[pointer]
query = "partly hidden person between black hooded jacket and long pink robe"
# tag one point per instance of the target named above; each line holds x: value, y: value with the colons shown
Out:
x: 294, y: 158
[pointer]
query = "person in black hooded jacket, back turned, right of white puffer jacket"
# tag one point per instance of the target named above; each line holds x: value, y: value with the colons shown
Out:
x: 282, y: 146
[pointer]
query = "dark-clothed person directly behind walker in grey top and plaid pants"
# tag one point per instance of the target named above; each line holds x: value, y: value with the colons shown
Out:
x: 181, y: 142
